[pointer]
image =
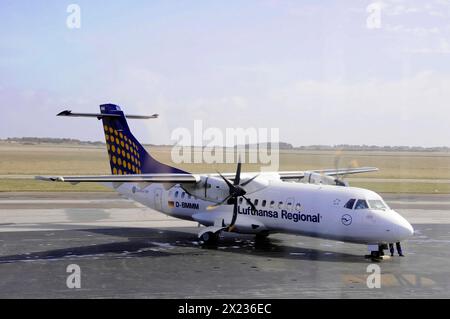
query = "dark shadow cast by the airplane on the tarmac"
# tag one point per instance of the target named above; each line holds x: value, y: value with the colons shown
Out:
x: 157, y: 242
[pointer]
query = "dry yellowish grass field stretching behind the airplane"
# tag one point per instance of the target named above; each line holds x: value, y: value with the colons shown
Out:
x: 428, y: 168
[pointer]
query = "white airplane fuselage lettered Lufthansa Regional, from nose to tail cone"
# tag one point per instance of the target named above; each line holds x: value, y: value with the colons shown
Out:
x: 333, y: 212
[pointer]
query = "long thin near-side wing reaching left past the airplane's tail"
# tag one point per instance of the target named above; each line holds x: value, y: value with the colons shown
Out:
x: 144, y: 178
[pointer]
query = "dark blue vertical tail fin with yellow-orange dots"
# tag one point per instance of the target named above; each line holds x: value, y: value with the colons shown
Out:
x: 126, y: 154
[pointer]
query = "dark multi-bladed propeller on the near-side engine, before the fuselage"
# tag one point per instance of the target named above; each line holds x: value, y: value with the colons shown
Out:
x: 236, y: 190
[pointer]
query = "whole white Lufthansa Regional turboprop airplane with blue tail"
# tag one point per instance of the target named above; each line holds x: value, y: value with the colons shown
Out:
x: 310, y: 203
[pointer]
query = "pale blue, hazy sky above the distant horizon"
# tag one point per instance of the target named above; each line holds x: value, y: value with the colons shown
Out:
x: 311, y: 68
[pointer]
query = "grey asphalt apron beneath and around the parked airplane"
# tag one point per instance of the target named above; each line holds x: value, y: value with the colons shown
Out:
x: 125, y: 250
